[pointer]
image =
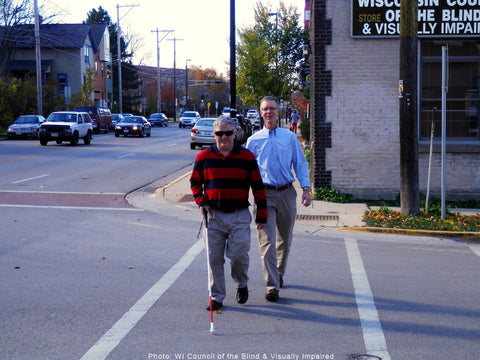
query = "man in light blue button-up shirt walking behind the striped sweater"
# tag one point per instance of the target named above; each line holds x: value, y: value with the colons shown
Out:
x: 278, y: 151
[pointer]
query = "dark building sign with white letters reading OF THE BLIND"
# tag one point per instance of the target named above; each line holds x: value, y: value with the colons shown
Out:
x: 436, y: 18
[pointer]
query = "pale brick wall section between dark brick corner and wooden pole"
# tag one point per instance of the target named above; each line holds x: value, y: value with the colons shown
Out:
x: 363, y: 109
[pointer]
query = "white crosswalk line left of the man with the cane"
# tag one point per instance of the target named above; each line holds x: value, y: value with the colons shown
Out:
x: 127, y: 322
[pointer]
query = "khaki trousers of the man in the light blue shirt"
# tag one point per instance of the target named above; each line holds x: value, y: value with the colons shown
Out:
x: 275, y: 239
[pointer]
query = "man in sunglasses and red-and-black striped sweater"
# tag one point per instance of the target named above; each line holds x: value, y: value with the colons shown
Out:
x: 222, y: 177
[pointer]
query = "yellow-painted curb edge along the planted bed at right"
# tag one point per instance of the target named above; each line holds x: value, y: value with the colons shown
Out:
x: 471, y: 236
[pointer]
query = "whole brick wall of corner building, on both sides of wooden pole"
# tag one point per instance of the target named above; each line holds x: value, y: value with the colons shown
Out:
x: 363, y: 113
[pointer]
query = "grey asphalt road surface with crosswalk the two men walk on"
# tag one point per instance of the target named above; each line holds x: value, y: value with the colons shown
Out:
x: 86, y: 275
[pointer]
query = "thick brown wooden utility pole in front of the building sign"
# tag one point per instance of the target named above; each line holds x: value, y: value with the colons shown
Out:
x: 409, y: 179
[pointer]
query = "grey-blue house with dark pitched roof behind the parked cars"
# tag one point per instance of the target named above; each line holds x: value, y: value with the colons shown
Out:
x: 67, y: 51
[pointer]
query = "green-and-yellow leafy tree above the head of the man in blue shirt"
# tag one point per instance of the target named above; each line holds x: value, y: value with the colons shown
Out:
x: 269, y: 55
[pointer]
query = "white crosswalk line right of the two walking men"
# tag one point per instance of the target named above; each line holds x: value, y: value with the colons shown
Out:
x: 373, y: 336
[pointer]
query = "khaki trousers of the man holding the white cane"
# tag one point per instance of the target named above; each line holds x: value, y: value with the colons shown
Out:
x: 228, y: 235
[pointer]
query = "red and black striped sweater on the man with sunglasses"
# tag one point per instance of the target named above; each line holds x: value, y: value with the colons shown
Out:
x: 223, y: 182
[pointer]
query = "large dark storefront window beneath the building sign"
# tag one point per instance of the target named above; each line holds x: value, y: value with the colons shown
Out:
x: 463, y: 96
